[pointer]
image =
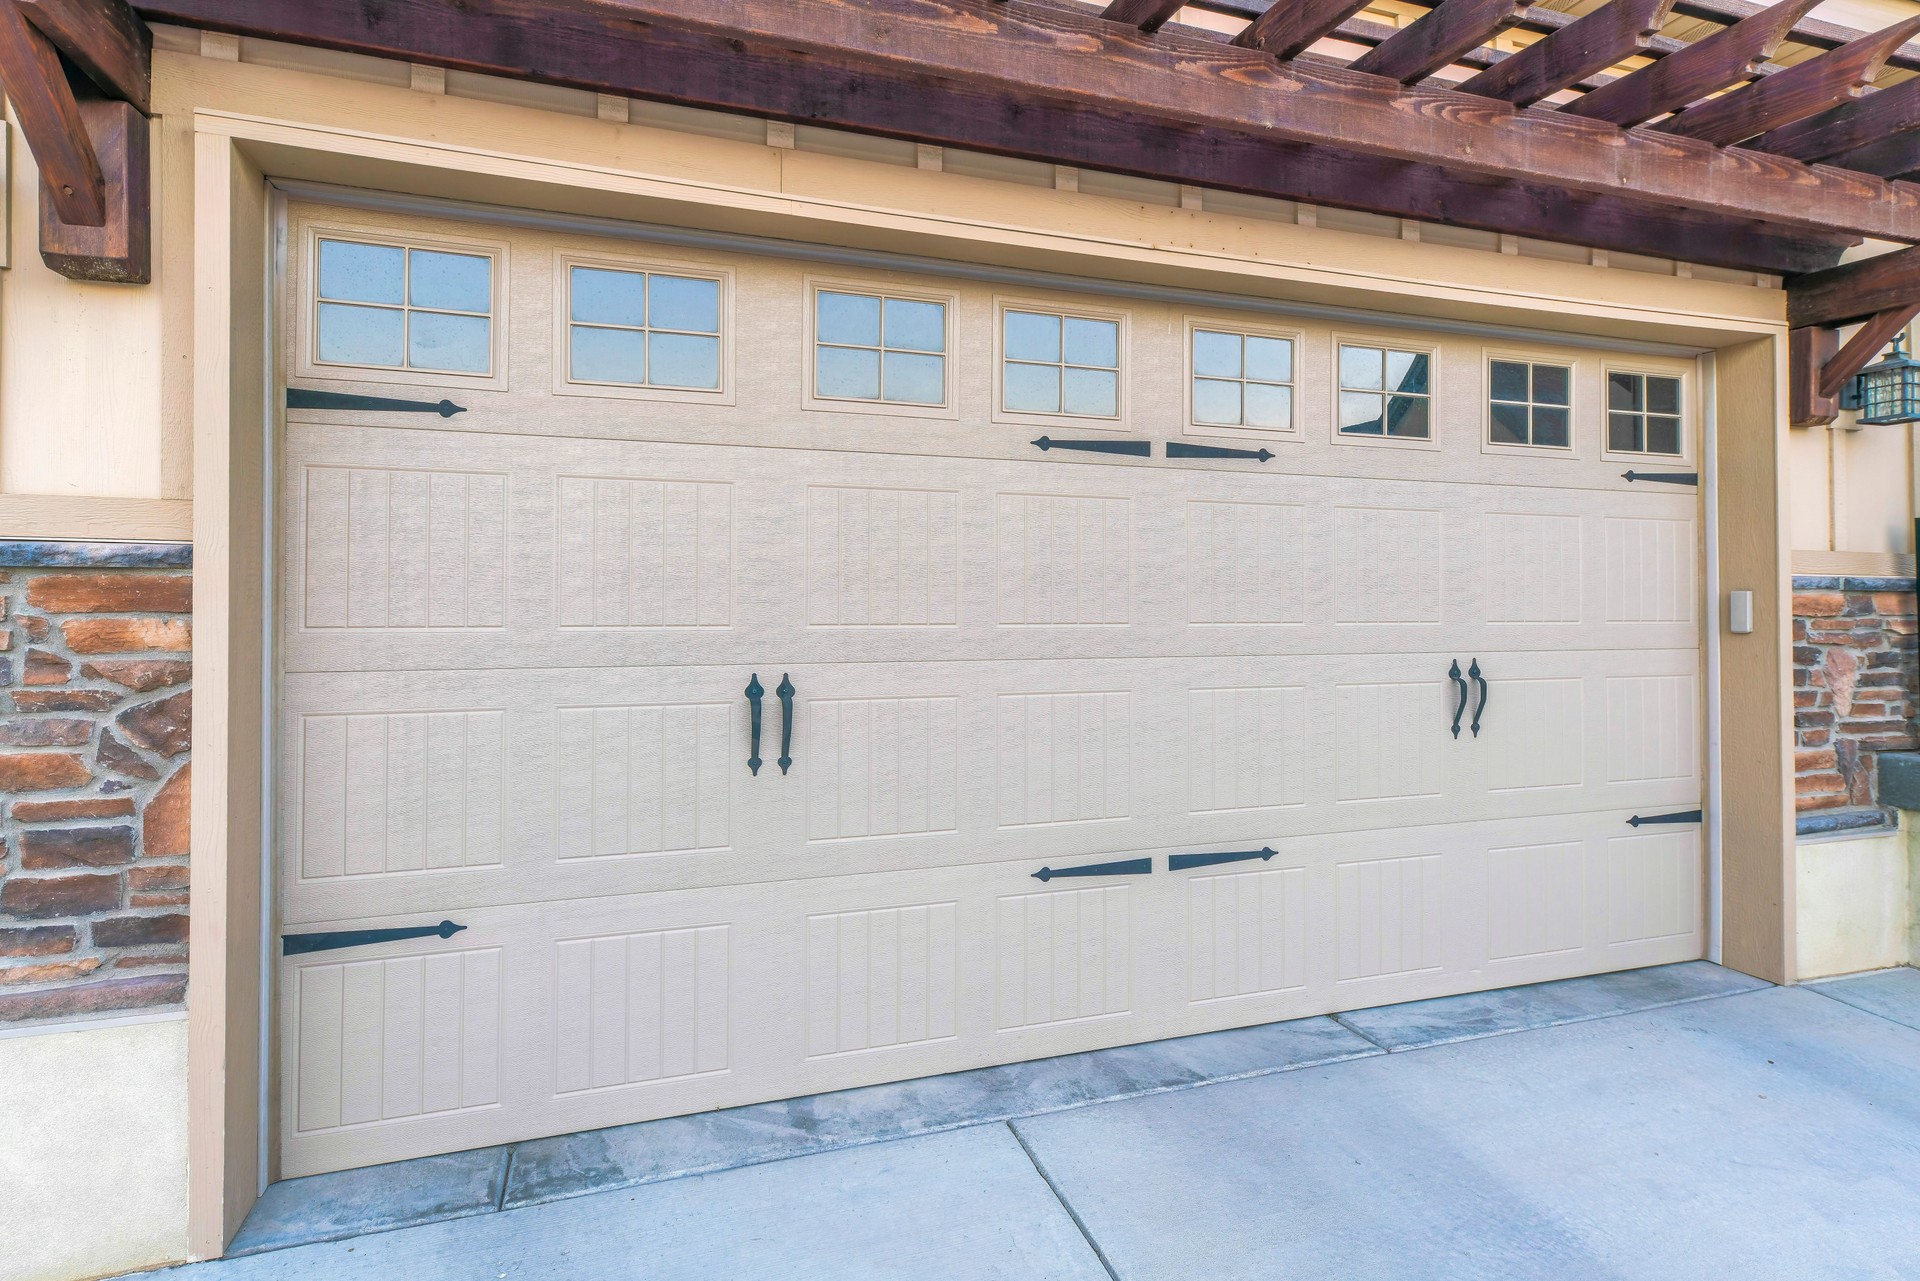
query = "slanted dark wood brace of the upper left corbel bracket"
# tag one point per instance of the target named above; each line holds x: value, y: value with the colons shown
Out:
x: 51, y: 120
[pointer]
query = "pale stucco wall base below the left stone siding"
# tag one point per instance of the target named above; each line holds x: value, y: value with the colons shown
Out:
x: 93, y: 1149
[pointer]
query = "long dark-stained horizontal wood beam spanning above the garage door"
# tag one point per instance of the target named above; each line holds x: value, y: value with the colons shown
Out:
x: 1057, y: 84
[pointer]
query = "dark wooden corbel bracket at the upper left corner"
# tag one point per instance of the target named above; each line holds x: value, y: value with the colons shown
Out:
x: 78, y: 76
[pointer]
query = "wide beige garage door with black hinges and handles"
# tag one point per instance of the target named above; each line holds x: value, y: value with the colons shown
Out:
x: 757, y: 681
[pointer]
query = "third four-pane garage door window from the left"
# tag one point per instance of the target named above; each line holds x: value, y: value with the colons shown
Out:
x: 880, y: 349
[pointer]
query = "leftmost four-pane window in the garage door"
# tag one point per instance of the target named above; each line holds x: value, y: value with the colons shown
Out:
x: 391, y: 306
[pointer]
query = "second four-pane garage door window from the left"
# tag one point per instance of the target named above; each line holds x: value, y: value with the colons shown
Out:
x: 644, y: 329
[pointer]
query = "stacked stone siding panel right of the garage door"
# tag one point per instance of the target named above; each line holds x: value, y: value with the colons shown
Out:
x: 1854, y: 685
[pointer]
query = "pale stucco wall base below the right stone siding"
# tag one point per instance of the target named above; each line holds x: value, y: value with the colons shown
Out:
x: 1856, y: 904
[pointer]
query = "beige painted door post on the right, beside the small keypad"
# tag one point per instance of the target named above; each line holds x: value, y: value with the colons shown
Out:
x: 1756, y: 671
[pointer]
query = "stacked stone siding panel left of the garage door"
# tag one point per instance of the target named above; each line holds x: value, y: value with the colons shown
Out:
x: 95, y: 733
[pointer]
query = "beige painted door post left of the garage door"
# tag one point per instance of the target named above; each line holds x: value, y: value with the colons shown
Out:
x: 224, y: 1000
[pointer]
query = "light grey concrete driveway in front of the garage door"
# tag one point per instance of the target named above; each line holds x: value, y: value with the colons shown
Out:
x: 1687, y: 1126
